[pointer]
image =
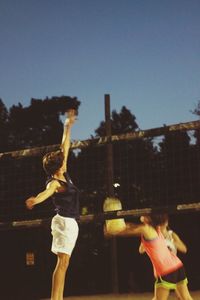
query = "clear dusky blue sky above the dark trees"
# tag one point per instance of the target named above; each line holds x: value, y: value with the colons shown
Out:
x: 144, y: 53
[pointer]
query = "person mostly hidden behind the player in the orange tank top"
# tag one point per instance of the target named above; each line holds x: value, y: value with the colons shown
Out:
x: 173, y: 242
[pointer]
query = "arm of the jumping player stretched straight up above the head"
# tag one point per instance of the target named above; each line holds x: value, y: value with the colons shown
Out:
x: 65, y: 144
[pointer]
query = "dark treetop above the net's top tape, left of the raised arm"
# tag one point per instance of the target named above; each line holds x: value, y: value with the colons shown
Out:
x: 36, y: 125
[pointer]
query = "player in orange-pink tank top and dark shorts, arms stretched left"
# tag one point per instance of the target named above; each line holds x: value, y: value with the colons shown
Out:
x: 168, y: 268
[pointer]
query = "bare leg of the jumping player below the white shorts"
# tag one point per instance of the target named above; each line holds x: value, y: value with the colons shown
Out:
x: 58, y: 278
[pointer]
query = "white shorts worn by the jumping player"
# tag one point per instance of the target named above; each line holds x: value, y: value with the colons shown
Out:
x: 65, y: 232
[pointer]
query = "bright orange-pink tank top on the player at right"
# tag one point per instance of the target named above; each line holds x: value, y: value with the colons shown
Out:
x: 163, y: 260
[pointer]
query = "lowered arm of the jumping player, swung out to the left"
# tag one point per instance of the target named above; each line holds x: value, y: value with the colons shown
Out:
x: 44, y: 195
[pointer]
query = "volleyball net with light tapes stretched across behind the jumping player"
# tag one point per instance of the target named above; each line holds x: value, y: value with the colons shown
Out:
x: 155, y: 168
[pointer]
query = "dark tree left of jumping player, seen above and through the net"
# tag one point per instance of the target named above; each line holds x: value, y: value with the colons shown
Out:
x: 22, y: 127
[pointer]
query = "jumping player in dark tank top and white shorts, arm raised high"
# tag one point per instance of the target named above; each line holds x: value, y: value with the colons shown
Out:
x: 65, y: 196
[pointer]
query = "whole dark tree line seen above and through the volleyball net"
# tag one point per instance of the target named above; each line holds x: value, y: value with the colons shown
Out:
x: 146, y: 171
